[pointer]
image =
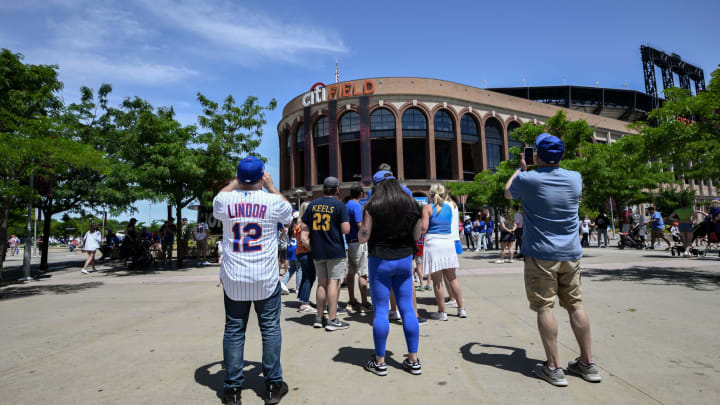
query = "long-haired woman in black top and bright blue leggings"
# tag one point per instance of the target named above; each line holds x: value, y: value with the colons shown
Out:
x: 391, y: 225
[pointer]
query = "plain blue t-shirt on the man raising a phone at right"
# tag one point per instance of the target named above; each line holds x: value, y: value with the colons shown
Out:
x: 550, y: 198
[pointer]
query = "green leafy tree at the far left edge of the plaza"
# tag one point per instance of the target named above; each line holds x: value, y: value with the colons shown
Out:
x: 31, y: 144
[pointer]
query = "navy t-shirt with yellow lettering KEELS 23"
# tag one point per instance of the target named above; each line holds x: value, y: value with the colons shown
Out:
x: 323, y: 217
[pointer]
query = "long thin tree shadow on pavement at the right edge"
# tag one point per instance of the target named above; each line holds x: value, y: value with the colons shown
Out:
x: 691, y: 278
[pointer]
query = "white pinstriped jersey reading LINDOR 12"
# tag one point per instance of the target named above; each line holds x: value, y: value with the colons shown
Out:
x: 249, y: 270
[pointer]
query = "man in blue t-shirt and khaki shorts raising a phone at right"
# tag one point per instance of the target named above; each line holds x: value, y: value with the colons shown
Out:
x: 550, y: 197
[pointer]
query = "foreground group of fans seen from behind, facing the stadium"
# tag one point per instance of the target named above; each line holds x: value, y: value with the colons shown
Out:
x: 384, y: 245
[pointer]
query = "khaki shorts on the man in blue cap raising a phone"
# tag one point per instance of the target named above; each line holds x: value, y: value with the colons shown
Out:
x: 546, y: 279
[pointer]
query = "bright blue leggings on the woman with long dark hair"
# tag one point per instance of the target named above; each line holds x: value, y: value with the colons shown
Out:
x: 395, y: 274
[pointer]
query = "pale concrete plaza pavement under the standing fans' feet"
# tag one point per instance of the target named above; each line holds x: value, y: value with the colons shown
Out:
x: 155, y: 338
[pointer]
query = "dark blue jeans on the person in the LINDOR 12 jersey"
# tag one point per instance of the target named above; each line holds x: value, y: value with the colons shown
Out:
x: 236, y: 318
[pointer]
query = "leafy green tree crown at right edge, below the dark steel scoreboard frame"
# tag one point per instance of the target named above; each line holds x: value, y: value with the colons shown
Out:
x: 685, y: 131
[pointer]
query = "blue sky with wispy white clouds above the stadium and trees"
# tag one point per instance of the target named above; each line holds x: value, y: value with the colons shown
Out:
x: 167, y: 51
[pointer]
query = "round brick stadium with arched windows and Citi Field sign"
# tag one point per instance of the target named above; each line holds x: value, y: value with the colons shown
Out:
x: 429, y: 130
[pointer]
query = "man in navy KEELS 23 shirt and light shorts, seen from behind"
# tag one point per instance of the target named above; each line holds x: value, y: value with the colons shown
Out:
x: 324, y: 222
